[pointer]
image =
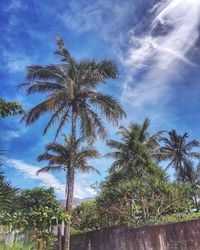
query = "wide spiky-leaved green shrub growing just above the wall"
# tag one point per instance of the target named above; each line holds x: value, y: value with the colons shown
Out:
x: 136, y: 200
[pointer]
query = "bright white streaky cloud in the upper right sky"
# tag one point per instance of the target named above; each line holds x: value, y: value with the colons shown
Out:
x: 159, y: 53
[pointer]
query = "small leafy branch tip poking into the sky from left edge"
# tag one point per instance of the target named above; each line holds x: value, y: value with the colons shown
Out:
x: 10, y: 108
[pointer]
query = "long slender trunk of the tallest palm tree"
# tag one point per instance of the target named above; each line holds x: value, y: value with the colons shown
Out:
x: 70, y: 183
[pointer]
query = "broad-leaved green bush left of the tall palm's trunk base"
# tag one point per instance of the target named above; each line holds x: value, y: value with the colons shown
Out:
x: 35, y: 210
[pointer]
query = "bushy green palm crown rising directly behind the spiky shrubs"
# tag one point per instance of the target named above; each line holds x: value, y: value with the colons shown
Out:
x: 134, y: 148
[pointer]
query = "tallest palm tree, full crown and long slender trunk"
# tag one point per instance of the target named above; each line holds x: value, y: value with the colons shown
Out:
x: 72, y: 96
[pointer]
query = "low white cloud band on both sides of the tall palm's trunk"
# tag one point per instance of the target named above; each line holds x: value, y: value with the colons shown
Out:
x: 82, y: 188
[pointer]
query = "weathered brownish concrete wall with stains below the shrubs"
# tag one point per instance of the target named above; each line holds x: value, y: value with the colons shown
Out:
x: 177, y: 236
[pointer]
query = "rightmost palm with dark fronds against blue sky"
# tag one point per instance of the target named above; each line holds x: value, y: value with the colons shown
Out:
x: 178, y: 150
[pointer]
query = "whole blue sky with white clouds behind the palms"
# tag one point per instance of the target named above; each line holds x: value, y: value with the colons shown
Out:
x: 155, y: 44
